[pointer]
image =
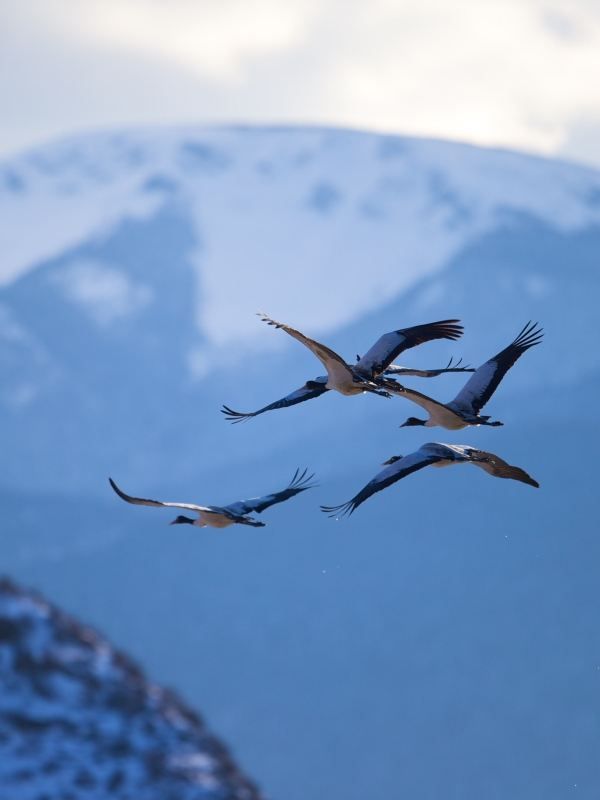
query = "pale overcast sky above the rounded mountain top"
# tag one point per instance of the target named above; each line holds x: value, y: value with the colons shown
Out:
x: 516, y: 73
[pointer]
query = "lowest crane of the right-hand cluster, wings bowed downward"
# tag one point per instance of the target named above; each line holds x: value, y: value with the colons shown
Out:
x: 434, y: 454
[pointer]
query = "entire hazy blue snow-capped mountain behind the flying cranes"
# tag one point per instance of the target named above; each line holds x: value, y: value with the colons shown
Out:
x: 443, y: 641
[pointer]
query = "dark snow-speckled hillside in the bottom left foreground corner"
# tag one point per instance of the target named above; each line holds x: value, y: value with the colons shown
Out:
x: 80, y: 720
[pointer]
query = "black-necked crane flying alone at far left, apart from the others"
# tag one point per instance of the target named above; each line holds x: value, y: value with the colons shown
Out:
x: 223, y: 516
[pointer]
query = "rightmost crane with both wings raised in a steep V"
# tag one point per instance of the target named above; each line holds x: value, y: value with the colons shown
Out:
x: 464, y: 409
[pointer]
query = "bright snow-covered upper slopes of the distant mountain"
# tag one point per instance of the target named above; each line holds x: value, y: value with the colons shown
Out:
x: 412, y: 204
